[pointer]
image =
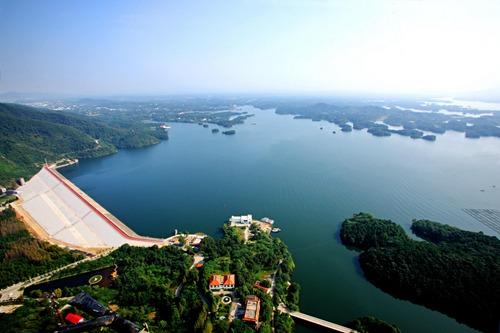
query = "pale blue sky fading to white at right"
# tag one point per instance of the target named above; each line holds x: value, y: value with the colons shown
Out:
x: 419, y: 47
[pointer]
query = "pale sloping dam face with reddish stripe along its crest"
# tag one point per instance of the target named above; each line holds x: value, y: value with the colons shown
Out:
x: 64, y: 214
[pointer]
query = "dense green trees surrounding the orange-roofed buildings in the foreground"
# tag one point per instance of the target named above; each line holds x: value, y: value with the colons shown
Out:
x: 160, y: 287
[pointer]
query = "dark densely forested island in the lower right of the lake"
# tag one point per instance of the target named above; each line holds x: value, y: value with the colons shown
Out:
x: 453, y: 271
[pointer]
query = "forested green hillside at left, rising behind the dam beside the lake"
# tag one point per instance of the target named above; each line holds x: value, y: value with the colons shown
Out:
x: 29, y: 136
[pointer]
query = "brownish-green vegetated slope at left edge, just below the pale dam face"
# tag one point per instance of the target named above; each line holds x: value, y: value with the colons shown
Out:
x: 22, y: 256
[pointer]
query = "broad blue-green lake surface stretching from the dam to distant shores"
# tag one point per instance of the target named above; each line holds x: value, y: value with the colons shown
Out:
x: 309, y: 180
